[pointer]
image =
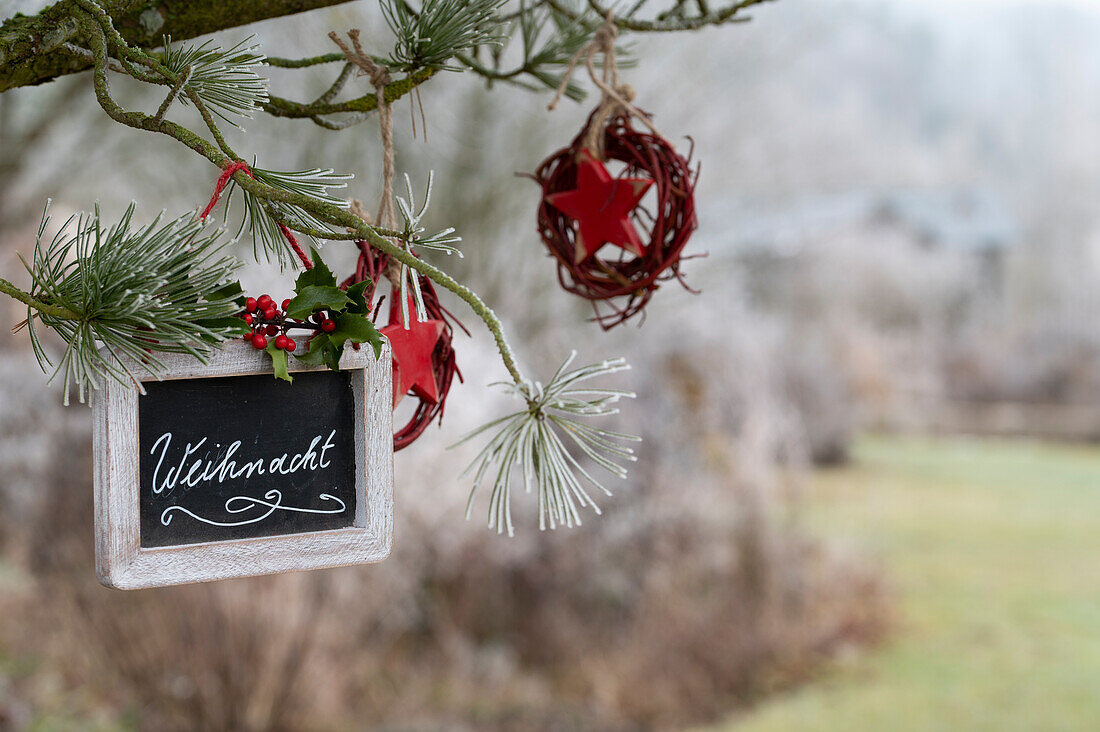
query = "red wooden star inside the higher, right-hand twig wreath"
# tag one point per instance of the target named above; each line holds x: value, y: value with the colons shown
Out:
x: 601, y: 205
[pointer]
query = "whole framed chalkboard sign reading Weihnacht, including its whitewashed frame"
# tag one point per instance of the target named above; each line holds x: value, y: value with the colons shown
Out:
x: 222, y: 471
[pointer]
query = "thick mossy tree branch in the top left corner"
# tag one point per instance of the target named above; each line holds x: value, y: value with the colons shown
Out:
x: 31, y: 47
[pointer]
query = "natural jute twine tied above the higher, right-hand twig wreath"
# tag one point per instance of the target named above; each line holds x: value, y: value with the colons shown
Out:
x: 617, y: 99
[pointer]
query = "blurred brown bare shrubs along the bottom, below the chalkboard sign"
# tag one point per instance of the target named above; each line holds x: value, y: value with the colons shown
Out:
x: 644, y: 622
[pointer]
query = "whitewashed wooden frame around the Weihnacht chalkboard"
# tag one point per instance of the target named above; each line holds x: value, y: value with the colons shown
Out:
x: 122, y: 562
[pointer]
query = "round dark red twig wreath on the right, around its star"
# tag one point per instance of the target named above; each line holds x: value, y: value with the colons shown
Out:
x: 624, y: 283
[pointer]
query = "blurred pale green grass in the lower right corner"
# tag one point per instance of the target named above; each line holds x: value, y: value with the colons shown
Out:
x: 993, y: 550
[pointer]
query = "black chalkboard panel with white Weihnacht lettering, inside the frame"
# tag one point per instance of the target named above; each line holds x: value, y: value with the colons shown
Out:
x: 240, y: 457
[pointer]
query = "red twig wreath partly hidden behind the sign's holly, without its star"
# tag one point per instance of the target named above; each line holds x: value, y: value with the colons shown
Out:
x: 373, y: 265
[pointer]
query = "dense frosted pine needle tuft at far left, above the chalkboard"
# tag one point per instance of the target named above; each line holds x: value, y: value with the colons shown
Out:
x: 129, y: 291
